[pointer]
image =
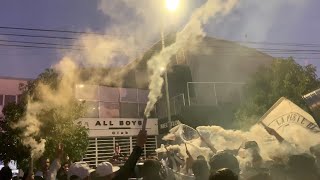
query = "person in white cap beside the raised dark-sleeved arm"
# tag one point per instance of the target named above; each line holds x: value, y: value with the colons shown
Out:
x: 105, y: 171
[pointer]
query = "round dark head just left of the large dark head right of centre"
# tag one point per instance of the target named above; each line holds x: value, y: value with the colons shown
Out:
x: 200, y: 169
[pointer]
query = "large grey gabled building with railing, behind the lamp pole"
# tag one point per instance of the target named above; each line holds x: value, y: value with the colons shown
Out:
x: 206, y: 81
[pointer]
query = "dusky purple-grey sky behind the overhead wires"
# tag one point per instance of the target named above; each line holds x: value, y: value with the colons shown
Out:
x: 288, y: 21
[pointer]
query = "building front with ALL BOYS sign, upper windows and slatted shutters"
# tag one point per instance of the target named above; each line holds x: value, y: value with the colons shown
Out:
x: 114, y: 116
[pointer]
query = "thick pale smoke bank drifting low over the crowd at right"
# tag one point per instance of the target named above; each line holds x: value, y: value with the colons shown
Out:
x: 297, y: 140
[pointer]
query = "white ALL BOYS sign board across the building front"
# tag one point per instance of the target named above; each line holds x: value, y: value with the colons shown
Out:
x: 101, y: 127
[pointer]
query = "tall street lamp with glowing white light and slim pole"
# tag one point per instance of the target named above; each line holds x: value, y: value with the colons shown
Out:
x: 171, y: 5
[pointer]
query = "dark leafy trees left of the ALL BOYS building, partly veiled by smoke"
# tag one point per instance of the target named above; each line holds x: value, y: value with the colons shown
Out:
x: 58, y: 122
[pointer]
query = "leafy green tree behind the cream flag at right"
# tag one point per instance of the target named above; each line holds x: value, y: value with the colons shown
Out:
x: 283, y: 78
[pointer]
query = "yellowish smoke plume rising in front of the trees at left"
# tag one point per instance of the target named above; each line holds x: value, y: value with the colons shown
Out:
x: 48, y: 98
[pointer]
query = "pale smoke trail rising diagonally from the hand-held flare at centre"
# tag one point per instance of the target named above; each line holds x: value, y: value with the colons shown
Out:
x: 190, y: 35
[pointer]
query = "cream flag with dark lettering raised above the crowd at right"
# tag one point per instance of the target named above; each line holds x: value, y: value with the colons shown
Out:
x: 285, y: 113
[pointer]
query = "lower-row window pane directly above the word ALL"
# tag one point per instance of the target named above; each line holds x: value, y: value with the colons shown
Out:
x: 109, y: 110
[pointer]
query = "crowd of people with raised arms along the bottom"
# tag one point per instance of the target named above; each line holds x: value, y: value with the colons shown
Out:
x: 171, y: 165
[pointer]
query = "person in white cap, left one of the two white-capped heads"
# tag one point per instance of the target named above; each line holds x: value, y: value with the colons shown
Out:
x: 79, y: 171
